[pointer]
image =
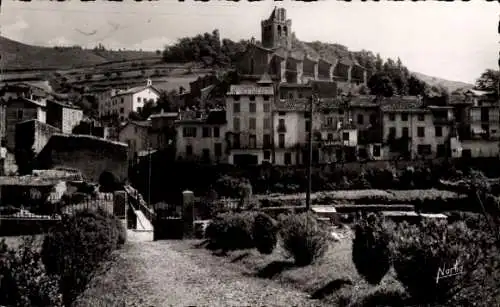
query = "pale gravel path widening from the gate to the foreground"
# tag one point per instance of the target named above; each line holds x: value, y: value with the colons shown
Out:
x: 160, y: 274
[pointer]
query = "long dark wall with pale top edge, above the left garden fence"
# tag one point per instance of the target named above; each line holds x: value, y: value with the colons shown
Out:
x: 91, y: 155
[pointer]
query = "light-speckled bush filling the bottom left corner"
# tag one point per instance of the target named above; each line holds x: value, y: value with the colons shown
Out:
x: 24, y: 279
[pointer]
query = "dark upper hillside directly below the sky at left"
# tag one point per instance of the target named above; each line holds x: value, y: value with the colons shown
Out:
x: 19, y: 56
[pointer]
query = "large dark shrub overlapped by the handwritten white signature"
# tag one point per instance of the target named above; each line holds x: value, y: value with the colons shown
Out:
x: 419, y: 251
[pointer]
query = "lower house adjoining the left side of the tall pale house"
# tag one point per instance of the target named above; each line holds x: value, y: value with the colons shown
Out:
x: 201, y: 136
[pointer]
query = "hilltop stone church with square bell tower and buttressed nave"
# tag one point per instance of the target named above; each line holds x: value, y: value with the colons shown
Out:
x: 287, y: 60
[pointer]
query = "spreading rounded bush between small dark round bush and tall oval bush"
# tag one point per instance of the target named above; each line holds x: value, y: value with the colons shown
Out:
x: 303, y: 238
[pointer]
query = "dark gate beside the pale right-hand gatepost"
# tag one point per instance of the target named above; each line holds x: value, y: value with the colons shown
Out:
x: 168, y: 223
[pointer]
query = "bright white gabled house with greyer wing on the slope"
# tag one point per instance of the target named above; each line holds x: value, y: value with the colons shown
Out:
x: 132, y: 100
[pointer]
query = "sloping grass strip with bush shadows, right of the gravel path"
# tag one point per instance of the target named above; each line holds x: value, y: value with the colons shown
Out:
x: 333, y: 279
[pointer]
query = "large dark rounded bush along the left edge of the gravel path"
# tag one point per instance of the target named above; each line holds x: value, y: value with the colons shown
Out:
x: 76, y: 246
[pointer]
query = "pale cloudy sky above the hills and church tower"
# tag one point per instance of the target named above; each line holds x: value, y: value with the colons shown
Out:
x: 455, y: 41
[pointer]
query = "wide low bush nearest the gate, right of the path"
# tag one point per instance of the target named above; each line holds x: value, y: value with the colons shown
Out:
x: 231, y: 231
